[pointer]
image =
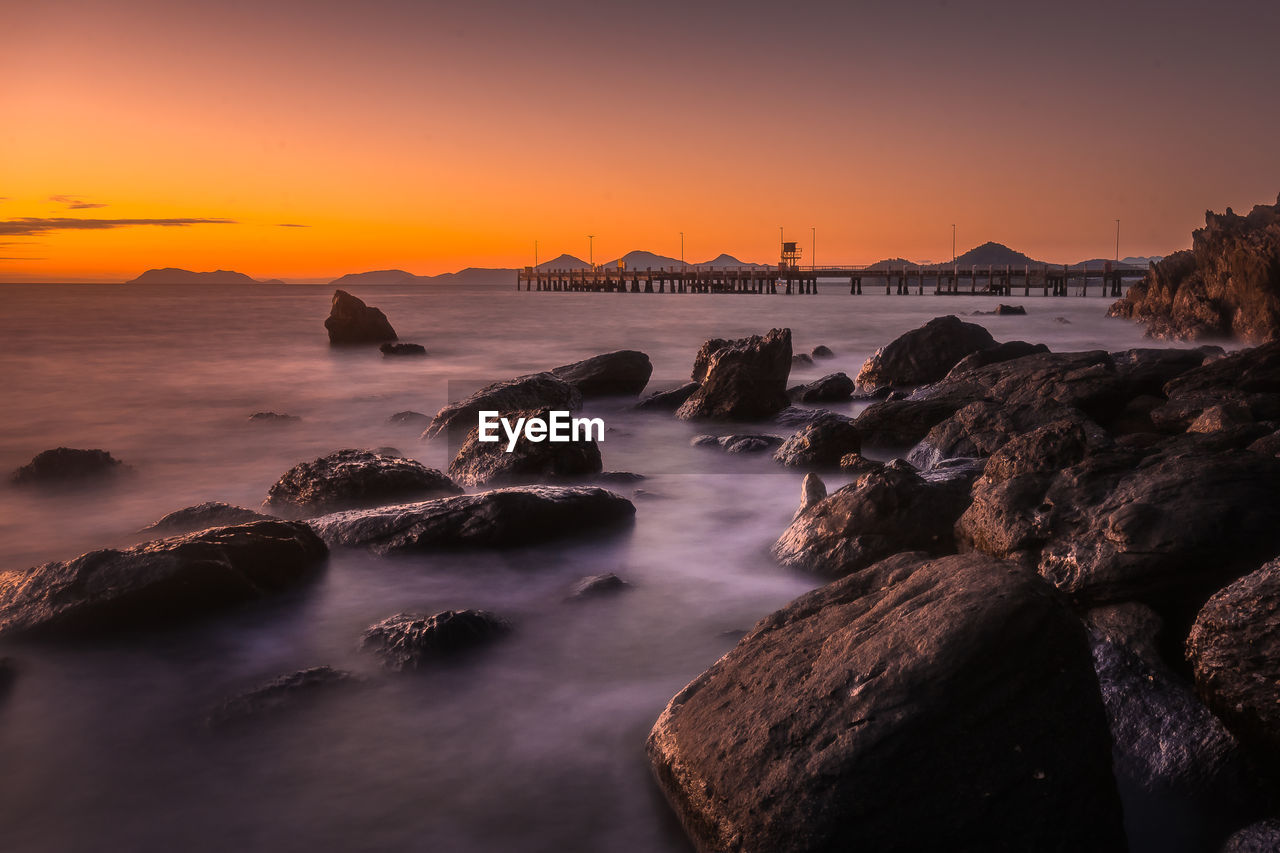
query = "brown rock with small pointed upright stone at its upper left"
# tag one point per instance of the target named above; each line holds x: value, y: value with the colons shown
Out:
x: 885, y: 512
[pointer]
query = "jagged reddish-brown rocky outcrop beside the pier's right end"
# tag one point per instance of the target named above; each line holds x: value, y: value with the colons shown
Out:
x: 1228, y: 285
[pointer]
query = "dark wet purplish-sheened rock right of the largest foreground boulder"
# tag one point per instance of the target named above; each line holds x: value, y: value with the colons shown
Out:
x: 1172, y: 754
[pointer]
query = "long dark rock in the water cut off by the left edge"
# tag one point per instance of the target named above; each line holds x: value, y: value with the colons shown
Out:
x: 161, y: 581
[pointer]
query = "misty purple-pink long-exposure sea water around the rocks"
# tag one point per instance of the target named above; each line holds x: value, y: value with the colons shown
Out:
x: 534, y: 745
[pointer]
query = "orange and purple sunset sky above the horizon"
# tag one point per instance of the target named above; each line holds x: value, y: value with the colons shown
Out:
x: 309, y: 139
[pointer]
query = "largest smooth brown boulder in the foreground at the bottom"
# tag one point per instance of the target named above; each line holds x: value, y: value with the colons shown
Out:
x: 921, y: 705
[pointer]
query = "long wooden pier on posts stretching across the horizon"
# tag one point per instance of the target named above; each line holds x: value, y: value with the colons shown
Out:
x: 940, y: 280
